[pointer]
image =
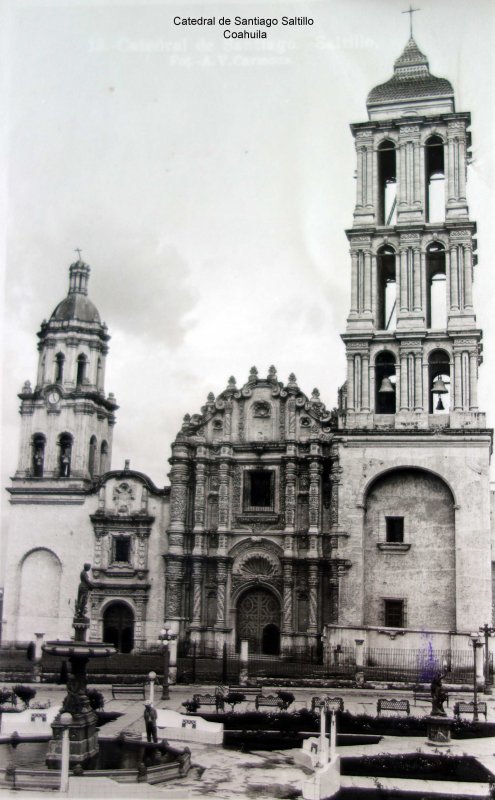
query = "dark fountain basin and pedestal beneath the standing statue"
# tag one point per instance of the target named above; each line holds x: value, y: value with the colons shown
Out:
x: 83, y: 735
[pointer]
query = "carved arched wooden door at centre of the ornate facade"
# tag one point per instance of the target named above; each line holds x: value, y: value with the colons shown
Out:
x: 258, y: 621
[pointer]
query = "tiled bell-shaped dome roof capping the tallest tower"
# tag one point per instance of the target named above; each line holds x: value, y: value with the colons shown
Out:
x: 411, y: 80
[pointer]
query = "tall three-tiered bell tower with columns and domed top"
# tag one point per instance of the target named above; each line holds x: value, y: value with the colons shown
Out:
x: 412, y: 345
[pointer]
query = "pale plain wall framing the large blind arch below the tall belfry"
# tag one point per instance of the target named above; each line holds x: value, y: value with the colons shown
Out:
x: 462, y: 462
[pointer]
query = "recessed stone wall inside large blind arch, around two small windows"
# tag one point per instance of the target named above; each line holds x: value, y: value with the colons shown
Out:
x: 425, y: 574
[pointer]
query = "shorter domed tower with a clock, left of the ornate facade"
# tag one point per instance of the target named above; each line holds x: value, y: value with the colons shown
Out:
x: 67, y: 421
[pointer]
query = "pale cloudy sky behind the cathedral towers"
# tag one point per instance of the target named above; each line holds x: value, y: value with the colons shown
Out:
x: 208, y: 183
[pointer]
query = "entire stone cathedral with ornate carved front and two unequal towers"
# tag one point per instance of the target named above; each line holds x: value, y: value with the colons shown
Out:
x: 285, y: 523
